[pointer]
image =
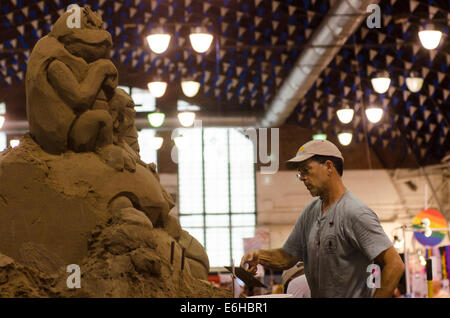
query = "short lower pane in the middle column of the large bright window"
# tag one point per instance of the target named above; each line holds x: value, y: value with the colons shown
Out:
x: 218, y: 246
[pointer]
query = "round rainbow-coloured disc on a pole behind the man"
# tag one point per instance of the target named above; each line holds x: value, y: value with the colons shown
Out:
x: 437, y: 221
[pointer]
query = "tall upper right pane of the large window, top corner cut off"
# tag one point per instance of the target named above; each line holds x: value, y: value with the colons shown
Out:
x: 241, y: 173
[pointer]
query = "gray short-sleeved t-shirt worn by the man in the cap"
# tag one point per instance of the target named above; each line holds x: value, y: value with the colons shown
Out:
x: 338, y: 246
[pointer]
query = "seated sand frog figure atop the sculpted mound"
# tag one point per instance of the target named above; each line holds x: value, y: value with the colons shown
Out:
x: 69, y: 84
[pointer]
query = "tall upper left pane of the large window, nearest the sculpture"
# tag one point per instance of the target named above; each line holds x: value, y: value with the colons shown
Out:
x: 190, y: 172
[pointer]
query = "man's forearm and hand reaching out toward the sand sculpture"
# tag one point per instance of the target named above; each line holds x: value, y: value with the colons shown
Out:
x: 277, y: 259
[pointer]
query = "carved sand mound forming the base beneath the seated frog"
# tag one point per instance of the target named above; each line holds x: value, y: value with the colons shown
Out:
x: 57, y: 210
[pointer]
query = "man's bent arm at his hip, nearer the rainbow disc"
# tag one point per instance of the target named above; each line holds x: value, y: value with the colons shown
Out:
x: 393, y: 269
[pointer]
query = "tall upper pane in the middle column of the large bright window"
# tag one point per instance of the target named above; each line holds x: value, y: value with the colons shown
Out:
x: 216, y: 170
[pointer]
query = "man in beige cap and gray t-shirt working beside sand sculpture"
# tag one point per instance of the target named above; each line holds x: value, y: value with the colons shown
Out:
x: 336, y: 236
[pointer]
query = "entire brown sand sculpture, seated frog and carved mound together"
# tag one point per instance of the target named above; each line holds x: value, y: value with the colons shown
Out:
x: 76, y: 192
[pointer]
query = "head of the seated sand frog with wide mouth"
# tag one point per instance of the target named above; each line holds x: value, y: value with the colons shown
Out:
x: 90, y: 42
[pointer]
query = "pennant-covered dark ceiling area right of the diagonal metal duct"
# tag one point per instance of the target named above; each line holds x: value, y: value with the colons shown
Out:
x: 423, y: 117
